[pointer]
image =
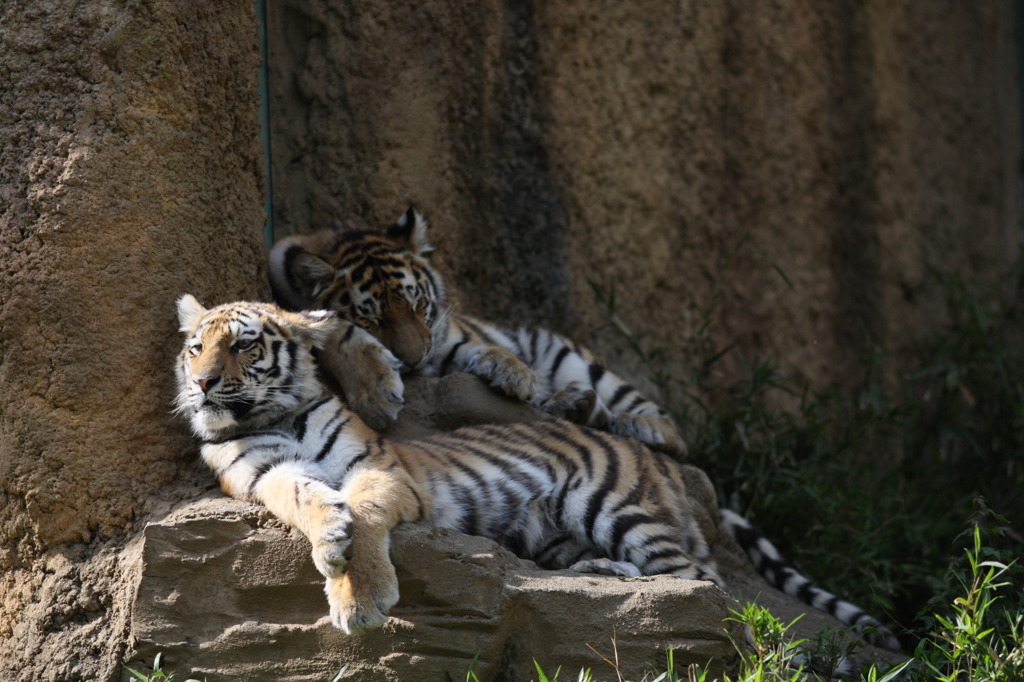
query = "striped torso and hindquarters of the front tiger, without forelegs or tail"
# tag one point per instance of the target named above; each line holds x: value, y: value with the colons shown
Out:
x: 561, y: 495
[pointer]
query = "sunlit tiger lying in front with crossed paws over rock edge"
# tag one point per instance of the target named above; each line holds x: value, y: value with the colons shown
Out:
x: 557, y: 493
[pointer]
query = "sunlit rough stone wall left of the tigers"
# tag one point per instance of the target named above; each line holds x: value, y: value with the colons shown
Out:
x: 131, y: 173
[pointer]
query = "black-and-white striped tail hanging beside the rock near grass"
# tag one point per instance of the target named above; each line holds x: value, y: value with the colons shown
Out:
x: 774, y: 568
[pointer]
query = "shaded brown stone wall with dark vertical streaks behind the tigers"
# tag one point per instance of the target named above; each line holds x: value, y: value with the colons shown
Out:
x: 804, y: 160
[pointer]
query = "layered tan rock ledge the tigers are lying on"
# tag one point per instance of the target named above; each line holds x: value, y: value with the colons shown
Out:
x: 228, y: 592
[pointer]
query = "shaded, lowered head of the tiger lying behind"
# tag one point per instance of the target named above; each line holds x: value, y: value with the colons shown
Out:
x: 381, y: 282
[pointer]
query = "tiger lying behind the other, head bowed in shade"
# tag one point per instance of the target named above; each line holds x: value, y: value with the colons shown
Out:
x: 386, y: 284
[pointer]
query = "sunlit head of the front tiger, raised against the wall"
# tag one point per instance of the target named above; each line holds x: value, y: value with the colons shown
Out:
x: 246, y: 363
